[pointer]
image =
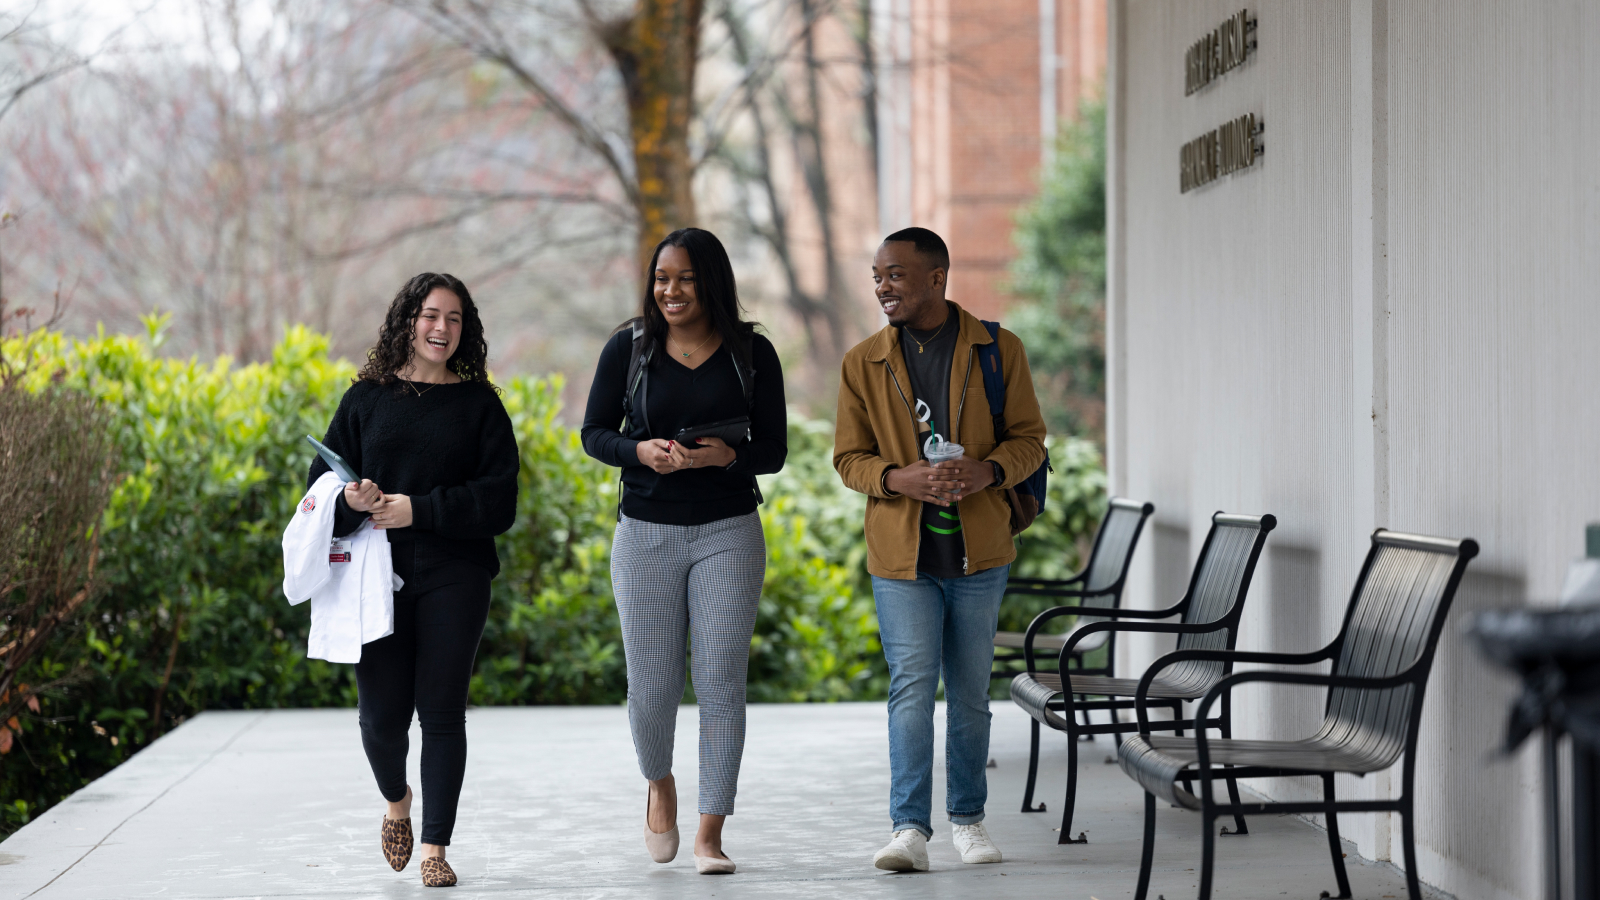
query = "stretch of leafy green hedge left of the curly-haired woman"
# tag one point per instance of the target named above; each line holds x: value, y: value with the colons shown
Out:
x: 191, y: 561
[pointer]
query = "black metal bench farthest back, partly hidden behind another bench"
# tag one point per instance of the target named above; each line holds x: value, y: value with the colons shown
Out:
x: 1100, y: 585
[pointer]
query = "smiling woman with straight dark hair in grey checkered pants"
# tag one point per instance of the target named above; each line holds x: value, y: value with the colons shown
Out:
x: 689, y: 558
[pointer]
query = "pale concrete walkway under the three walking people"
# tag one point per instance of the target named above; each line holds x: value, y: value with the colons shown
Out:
x: 282, y: 805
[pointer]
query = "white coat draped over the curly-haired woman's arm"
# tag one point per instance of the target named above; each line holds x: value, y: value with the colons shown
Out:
x: 351, y: 603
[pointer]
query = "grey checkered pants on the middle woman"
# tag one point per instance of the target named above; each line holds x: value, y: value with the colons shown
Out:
x: 678, y: 582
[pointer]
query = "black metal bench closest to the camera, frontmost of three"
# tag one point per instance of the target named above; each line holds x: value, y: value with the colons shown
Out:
x: 1372, y: 715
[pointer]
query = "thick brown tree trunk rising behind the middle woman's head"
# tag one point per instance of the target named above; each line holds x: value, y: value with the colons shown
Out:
x: 657, y: 52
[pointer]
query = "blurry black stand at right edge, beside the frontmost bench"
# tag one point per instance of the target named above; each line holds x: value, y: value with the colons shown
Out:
x: 1558, y: 654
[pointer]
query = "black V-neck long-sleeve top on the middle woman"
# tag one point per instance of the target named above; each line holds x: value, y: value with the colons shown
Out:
x: 681, y: 398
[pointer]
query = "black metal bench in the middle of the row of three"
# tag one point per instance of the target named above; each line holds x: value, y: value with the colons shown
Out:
x: 1209, y: 619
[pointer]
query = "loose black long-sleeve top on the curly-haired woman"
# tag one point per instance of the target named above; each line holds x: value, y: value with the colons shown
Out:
x: 452, y: 451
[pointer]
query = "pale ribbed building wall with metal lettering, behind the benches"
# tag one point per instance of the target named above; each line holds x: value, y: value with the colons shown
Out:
x: 1385, y: 323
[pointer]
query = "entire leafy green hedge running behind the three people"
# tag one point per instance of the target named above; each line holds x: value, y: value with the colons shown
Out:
x: 212, y: 464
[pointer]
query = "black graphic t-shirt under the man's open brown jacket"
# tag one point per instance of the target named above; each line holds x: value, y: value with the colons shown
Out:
x: 930, y: 358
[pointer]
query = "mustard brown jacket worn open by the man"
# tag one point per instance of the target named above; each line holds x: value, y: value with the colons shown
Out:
x: 876, y: 432
